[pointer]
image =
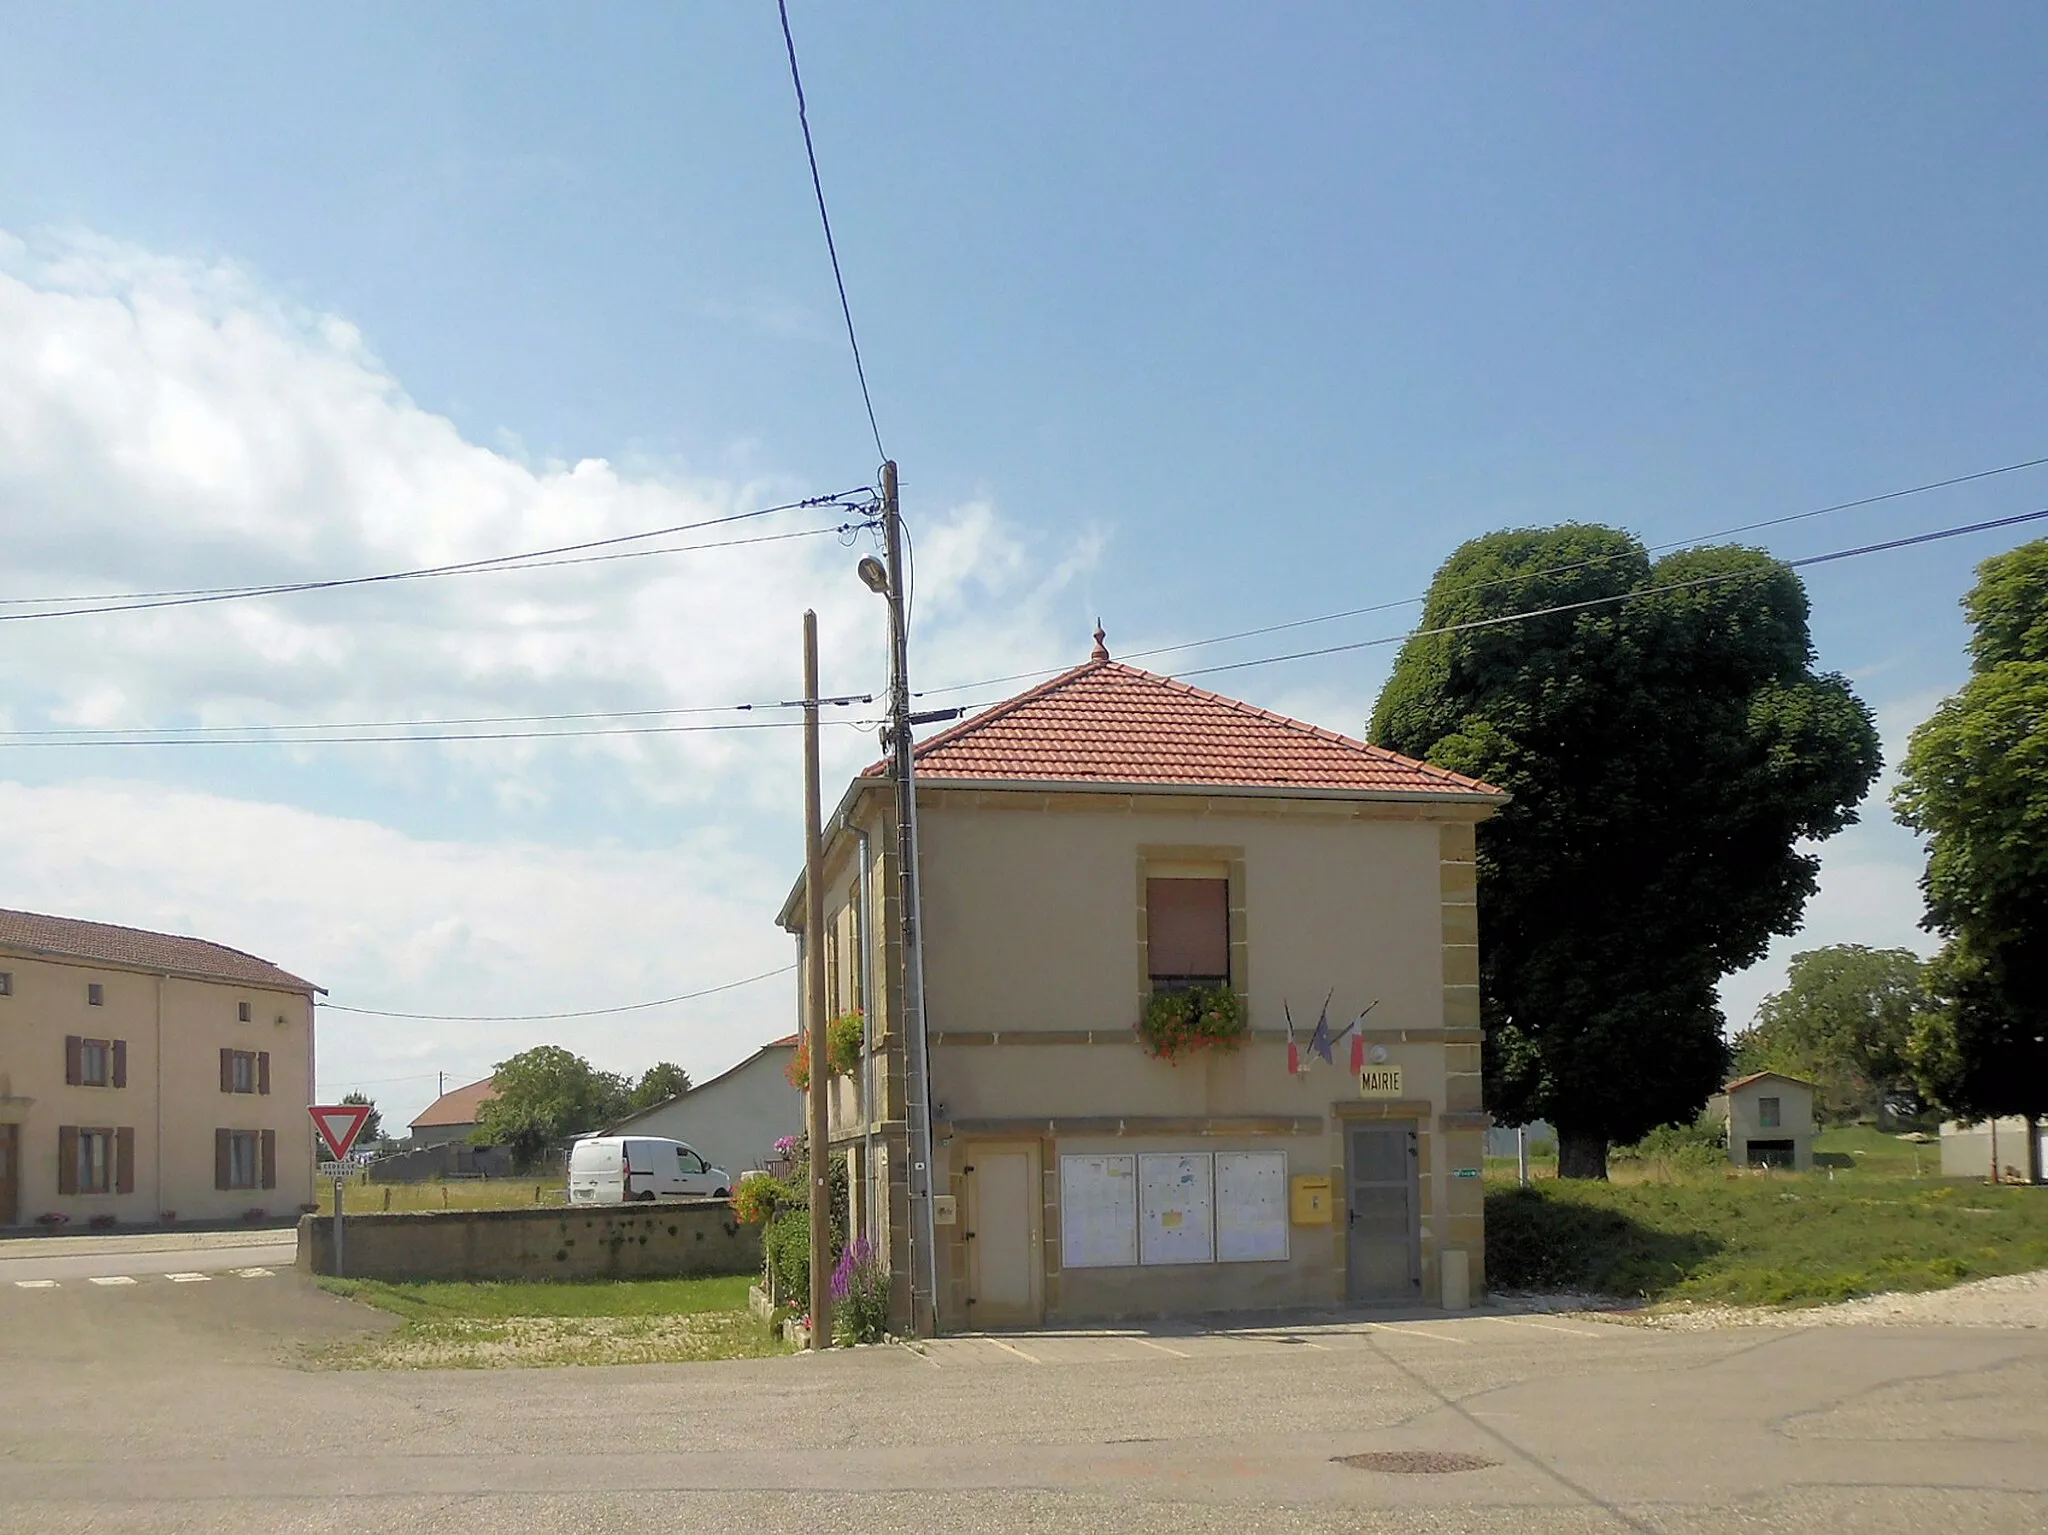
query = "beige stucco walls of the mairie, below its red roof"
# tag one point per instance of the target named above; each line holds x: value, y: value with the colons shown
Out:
x: 1035, y: 965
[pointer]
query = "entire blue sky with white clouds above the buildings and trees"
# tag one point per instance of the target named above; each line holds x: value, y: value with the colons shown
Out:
x: 1193, y: 316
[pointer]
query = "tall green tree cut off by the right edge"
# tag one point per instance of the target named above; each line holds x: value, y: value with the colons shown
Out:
x: 1975, y: 783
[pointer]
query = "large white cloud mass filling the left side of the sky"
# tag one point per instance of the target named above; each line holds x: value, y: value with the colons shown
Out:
x: 173, y: 425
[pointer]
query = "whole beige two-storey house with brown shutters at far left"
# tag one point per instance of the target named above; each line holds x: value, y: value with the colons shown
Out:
x: 148, y: 1078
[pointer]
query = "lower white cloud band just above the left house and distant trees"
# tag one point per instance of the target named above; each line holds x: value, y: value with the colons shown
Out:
x: 407, y: 924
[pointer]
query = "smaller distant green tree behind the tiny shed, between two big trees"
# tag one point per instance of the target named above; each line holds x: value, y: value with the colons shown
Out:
x: 1844, y: 1022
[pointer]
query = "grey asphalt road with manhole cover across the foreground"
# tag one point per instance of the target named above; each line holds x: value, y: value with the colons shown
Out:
x: 189, y: 1407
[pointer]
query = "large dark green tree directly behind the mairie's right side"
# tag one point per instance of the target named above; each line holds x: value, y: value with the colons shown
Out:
x: 1670, y: 750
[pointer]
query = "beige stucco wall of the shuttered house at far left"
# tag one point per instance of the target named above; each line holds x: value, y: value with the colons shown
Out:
x: 175, y: 1030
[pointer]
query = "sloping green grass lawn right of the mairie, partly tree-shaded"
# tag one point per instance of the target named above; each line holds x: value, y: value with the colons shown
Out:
x: 1854, y: 1227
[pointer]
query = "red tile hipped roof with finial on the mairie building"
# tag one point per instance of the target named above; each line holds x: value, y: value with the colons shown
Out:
x: 1109, y: 723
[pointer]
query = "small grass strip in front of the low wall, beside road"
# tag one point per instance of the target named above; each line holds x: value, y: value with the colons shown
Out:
x: 601, y: 1323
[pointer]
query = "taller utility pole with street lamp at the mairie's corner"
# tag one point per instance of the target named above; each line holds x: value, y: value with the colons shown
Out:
x: 916, y: 1053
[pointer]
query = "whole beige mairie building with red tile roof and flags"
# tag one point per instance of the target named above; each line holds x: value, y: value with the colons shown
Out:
x: 1097, y: 842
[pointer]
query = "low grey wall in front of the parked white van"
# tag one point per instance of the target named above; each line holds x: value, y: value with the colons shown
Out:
x: 642, y: 1241
